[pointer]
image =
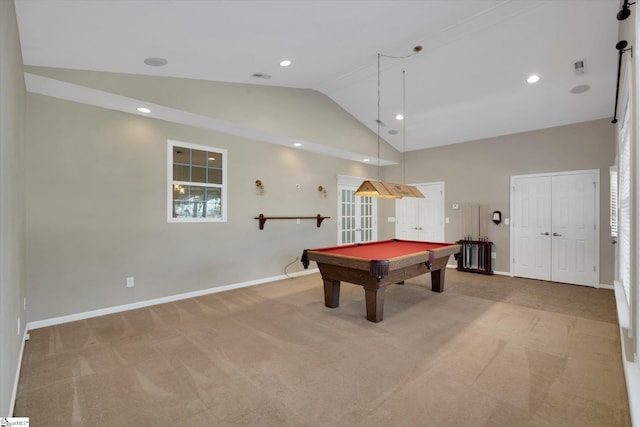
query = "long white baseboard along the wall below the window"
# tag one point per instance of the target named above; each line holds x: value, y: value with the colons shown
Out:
x: 120, y: 308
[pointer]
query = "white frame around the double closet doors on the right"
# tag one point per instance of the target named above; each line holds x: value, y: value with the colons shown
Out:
x: 512, y: 208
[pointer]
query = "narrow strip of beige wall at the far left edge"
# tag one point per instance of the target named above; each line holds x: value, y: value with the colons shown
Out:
x: 12, y: 225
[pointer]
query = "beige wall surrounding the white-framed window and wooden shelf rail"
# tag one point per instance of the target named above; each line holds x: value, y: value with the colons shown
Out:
x: 96, y: 210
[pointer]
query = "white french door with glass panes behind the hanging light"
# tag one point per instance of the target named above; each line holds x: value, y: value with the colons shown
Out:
x: 356, y: 215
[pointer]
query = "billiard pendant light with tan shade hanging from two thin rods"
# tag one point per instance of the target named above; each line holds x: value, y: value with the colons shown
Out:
x: 389, y: 190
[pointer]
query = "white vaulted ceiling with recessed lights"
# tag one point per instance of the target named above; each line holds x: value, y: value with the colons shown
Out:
x: 467, y: 83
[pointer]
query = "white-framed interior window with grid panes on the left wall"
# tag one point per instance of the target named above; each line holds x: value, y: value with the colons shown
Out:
x: 197, y: 180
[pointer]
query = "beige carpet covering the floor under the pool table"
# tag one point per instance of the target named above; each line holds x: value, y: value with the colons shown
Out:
x: 489, y: 351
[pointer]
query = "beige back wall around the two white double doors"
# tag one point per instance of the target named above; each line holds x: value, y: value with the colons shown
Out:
x: 479, y: 172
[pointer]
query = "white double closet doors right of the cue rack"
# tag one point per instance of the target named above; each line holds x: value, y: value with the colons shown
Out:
x: 554, y: 229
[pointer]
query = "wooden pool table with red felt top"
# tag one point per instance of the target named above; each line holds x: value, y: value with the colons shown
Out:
x: 375, y: 265
